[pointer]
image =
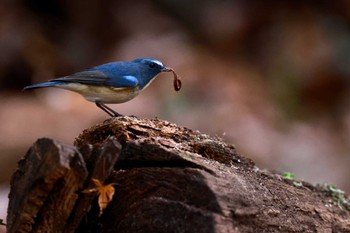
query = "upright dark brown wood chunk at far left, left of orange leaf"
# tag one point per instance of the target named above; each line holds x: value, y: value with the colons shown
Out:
x: 43, y: 187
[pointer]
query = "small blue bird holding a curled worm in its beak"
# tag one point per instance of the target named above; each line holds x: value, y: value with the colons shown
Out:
x: 115, y: 82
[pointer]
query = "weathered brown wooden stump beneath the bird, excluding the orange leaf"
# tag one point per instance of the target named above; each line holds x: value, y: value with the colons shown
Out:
x: 166, y: 179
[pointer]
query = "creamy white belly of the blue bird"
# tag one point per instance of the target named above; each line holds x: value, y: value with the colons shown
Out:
x: 103, y: 94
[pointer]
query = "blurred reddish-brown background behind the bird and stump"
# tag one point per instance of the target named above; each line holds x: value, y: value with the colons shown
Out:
x: 271, y: 77
